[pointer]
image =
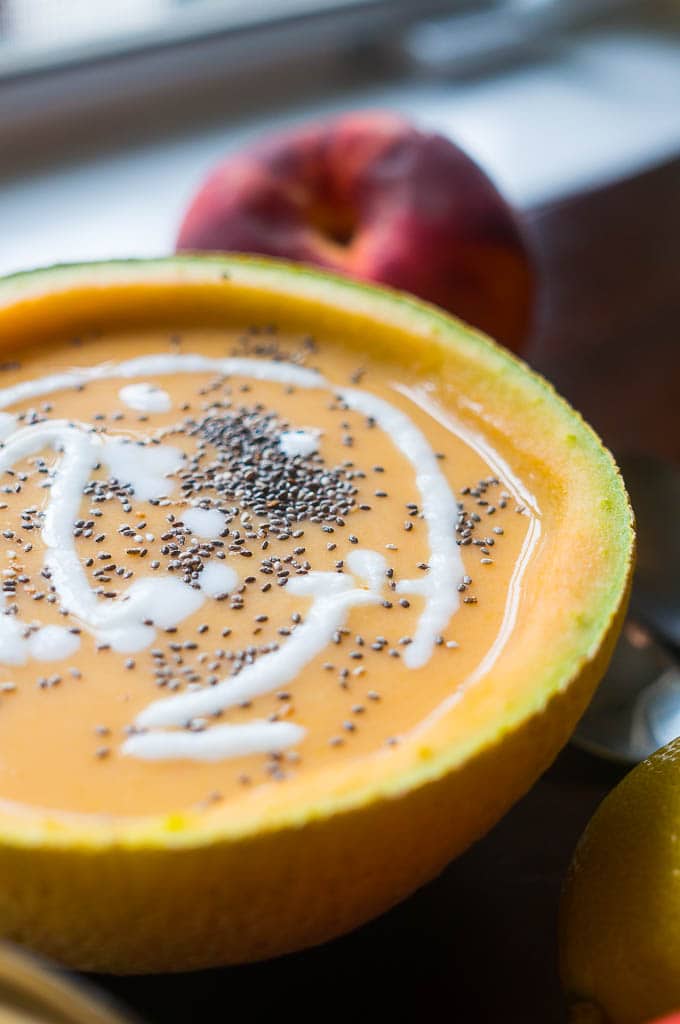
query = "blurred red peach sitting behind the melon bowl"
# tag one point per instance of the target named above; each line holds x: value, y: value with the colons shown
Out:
x: 369, y: 195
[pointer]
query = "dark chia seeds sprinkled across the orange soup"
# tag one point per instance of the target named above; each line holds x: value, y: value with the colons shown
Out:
x: 240, y: 470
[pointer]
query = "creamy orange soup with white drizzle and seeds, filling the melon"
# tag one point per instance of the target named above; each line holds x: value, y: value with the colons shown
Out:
x: 240, y: 560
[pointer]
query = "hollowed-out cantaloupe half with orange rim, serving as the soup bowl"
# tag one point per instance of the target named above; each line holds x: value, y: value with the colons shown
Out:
x: 188, y: 889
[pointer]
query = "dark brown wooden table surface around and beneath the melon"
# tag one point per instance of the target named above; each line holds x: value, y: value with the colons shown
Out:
x: 480, y: 944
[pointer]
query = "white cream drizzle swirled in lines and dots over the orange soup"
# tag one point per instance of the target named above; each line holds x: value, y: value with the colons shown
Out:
x: 166, y: 601
